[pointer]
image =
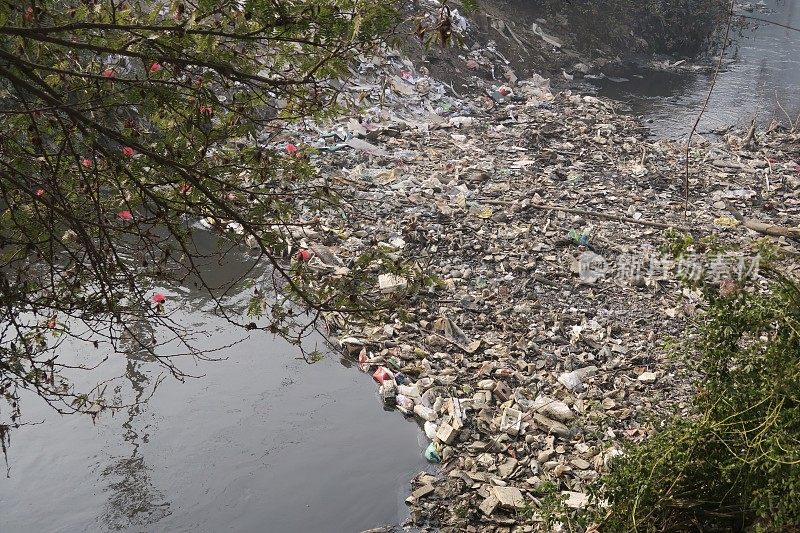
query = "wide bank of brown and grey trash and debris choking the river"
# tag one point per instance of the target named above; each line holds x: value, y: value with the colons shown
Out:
x: 542, y: 349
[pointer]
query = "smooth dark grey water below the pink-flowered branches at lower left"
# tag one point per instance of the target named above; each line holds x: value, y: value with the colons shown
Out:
x: 261, y: 442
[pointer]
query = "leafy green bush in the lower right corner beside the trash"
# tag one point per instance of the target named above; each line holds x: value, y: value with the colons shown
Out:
x: 735, y: 464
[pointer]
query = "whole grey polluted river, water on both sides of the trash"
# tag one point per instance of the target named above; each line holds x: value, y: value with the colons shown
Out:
x: 262, y: 441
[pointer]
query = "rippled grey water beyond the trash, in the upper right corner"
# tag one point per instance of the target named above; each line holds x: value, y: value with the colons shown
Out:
x: 761, y: 81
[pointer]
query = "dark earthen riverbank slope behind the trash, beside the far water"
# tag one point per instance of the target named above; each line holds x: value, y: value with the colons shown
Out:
x: 506, y: 40
